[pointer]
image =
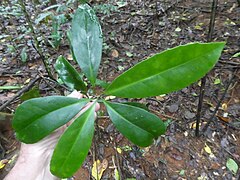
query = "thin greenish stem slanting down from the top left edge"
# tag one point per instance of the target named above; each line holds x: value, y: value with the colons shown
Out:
x: 36, y: 42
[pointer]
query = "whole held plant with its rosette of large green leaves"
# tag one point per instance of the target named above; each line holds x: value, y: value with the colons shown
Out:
x: 168, y: 71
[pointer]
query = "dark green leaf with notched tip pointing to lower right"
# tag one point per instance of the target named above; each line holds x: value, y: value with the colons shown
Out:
x: 138, y: 125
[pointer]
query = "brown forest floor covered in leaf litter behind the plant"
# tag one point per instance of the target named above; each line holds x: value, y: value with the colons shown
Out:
x: 132, y: 32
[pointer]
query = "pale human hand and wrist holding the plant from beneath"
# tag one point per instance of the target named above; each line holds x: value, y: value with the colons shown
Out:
x: 34, y: 159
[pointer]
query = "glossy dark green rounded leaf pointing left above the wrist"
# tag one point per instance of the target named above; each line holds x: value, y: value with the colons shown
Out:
x: 36, y: 118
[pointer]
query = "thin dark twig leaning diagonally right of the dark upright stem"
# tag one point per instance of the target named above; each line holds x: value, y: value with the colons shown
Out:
x: 219, y: 102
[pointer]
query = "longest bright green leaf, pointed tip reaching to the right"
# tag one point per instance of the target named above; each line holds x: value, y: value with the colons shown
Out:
x: 168, y: 71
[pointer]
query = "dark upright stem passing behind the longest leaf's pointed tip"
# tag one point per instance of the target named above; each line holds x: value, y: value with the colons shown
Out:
x: 203, y: 80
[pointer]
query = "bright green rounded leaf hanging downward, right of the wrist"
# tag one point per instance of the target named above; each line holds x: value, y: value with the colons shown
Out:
x: 74, y: 145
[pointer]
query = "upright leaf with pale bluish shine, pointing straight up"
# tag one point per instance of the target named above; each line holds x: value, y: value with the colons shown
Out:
x: 87, y: 41
